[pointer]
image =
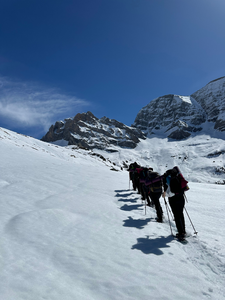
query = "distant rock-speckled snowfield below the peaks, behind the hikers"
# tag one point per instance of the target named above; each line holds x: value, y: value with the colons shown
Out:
x: 201, y: 158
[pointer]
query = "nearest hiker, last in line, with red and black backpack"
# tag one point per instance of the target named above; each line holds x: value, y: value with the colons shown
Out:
x: 175, y: 193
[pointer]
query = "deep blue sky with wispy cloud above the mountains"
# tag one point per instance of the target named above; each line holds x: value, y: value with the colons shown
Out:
x: 110, y: 57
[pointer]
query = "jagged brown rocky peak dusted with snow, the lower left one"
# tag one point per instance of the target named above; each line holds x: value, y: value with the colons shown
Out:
x: 85, y: 130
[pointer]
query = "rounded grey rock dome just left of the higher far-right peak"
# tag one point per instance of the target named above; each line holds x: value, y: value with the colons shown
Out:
x: 171, y: 115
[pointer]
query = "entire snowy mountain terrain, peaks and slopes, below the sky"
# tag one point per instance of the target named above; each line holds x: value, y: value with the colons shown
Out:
x: 72, y: 228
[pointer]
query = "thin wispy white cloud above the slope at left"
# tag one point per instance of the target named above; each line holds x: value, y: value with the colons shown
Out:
x: 29, y: 104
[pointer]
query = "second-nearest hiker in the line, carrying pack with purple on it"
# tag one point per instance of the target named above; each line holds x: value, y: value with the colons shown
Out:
x: 155, y: 192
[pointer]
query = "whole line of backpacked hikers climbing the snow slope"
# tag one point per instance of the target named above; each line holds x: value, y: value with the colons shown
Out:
x: 151, y: 185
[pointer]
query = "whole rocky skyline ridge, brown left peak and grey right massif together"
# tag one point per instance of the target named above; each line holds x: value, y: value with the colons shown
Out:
x: 172, y: 116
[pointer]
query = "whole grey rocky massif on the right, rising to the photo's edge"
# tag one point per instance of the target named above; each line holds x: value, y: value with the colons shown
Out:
x: 178, y: 117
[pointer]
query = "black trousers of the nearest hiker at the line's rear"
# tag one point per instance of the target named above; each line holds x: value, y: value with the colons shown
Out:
x: 177, y: 205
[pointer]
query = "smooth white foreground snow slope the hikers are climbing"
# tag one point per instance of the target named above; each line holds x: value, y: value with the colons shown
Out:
x: 72, y: 229
